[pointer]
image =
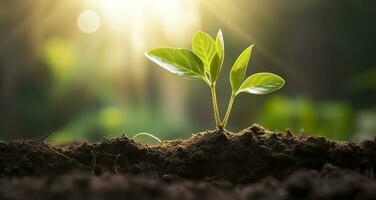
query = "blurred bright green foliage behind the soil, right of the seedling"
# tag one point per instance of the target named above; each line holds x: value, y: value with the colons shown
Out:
x: 301, y: 115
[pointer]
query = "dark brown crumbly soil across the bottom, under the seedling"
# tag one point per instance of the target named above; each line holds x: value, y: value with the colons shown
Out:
x: 252, y: 164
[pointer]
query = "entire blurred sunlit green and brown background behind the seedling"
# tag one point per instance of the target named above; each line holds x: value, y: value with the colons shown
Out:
x: 76, y: 70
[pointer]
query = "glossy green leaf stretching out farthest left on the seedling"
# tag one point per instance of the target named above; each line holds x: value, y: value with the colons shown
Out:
x: 182, y: 62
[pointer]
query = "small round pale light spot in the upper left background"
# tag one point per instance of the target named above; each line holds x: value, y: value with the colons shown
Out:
x: 88, y: 21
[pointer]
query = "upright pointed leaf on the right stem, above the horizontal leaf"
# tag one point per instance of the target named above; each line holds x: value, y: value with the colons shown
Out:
x: 239, y: 69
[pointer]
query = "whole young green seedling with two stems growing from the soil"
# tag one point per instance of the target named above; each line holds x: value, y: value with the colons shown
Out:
x: 205, y: 61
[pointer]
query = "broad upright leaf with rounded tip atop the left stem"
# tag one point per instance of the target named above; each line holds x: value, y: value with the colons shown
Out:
x: 204, y: 47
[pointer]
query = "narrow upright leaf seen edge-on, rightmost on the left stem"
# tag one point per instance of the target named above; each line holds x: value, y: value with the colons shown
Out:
x: 217, y: 61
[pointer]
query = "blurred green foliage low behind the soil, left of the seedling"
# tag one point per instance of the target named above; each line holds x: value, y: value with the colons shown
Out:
x: 112, y: 121
